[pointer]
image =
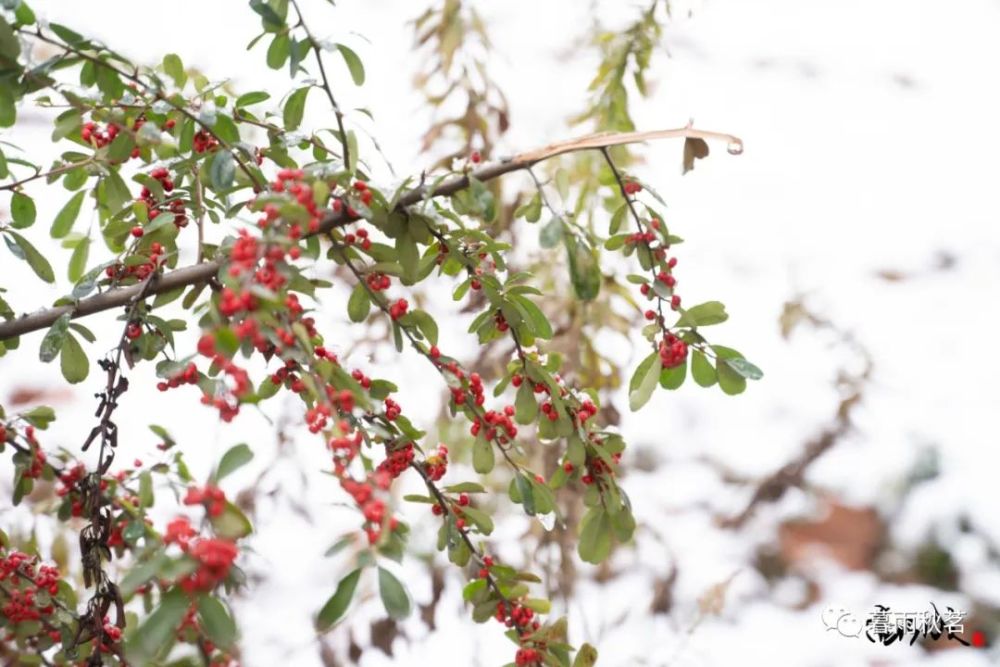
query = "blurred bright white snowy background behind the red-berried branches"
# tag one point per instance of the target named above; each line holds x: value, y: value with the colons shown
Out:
x: 870, y: 146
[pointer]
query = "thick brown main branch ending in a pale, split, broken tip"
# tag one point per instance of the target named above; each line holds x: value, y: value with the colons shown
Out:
x: 200, y: 273
